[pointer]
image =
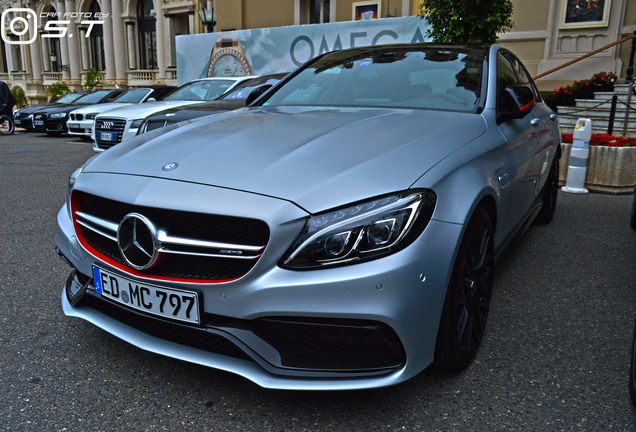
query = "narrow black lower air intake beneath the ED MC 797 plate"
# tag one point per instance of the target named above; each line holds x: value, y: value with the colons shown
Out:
x: 194, y: 337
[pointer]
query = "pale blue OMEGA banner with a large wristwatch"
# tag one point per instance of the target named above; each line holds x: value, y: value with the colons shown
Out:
x: 283, y: 49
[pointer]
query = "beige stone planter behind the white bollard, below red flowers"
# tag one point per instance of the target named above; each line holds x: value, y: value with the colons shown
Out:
x: 609, y: 169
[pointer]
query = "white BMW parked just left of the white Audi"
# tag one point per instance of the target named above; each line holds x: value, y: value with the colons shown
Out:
x: 81, y: 121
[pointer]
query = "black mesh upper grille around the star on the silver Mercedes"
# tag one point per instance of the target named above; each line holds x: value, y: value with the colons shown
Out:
x: 189, y: 264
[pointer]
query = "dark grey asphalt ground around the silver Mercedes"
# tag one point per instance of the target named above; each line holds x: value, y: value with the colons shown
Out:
x: 555, y: 356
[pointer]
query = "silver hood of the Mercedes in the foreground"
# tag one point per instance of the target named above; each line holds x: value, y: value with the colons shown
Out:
x: 316, y: 157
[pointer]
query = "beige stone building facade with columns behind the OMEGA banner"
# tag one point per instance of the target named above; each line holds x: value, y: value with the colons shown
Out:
x: 136, y: 44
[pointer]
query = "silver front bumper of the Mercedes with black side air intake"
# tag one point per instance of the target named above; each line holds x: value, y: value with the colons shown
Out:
x: 254, y: 319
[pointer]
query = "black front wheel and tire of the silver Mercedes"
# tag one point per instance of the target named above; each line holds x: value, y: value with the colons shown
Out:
x: 468, y: 295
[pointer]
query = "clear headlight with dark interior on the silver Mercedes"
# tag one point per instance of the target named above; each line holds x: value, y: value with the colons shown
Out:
x: 363, y: 231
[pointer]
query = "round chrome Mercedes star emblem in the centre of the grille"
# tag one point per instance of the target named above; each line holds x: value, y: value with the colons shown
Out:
x: 137, y: 241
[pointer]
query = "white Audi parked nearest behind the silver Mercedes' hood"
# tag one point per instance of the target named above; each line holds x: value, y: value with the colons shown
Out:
x: 117, y: 125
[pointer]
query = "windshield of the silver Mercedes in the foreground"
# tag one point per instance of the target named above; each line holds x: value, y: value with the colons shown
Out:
x: 421, y: 77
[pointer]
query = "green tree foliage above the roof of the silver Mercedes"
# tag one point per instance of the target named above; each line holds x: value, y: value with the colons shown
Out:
x: 466, y: 21
